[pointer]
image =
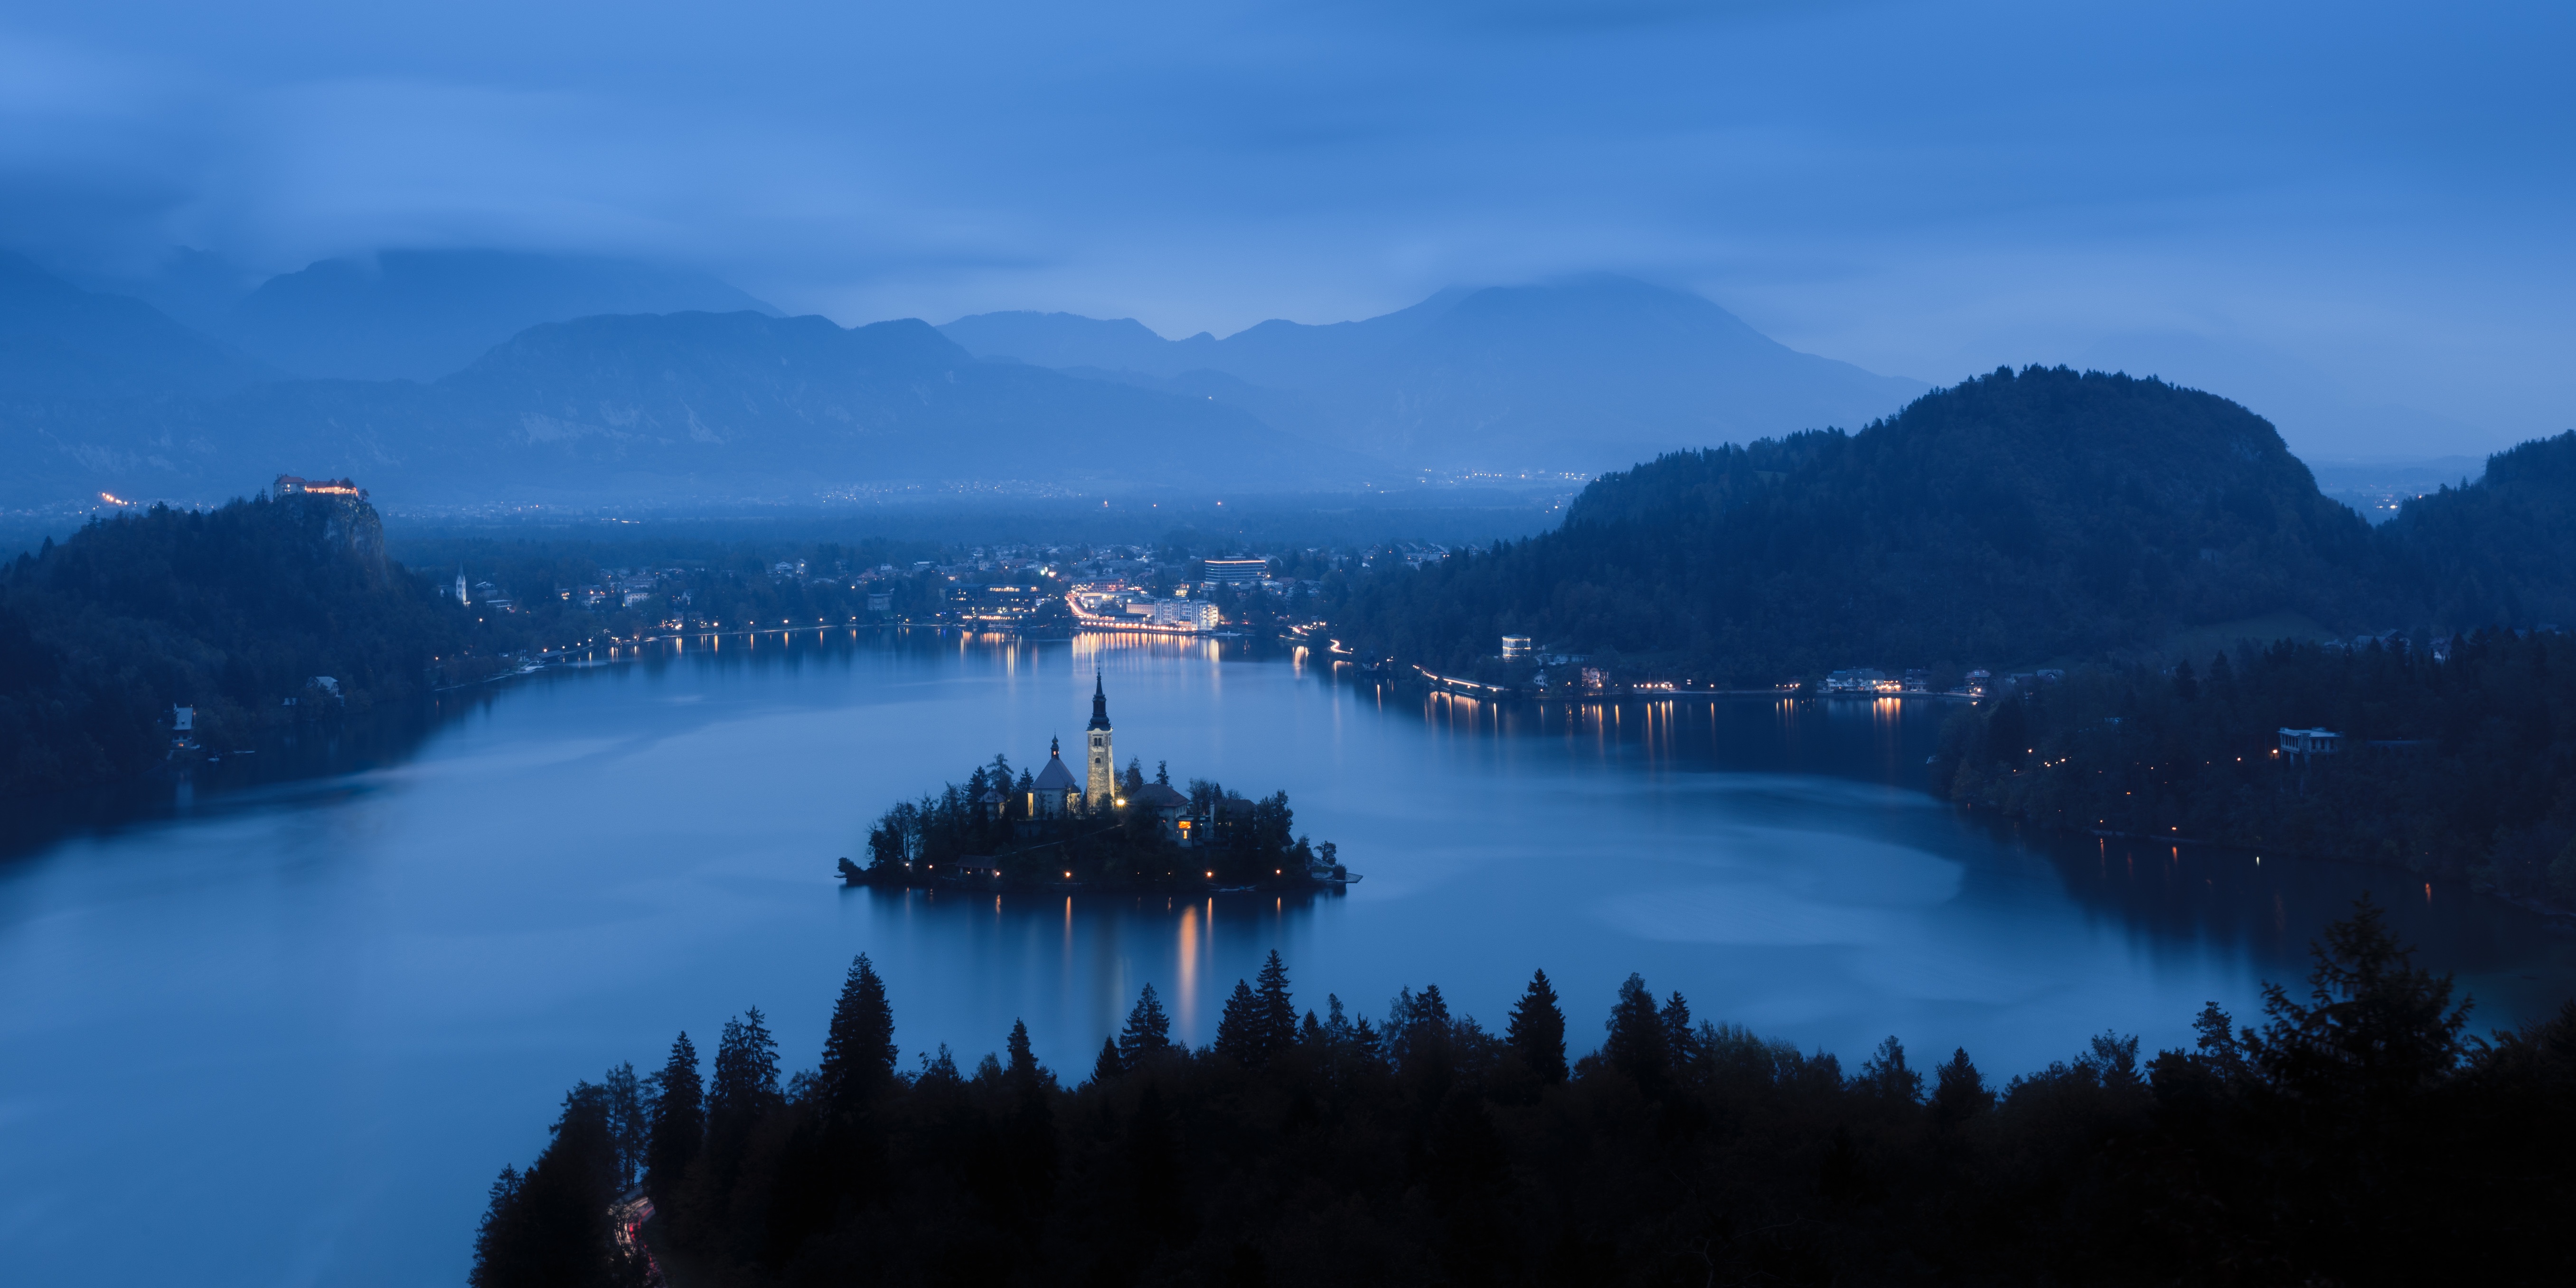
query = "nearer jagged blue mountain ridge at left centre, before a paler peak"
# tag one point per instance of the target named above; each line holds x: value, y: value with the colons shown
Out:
x: 748, y: 406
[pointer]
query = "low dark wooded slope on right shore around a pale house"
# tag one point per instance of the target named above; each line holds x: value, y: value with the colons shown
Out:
x: 2456, y: 766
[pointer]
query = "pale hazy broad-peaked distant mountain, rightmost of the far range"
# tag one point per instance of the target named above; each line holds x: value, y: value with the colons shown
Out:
x: 1575, y: 377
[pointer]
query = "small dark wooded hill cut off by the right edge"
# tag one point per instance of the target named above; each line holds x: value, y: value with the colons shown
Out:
x: 2497, y: 550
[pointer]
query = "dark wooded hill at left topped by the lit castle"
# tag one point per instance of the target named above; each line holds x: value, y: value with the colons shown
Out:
x: 233, y: 612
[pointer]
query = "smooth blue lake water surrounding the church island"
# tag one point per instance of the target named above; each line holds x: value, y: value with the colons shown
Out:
x: 287, y: 1034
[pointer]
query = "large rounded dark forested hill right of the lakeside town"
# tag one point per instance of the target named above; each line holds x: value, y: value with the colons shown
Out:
x: 2011, y: 519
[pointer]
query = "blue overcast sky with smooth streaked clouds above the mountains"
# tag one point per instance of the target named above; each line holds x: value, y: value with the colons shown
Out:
x: 2333, y: 207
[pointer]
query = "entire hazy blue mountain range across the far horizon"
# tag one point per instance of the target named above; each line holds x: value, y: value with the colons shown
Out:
x: 486, y: 377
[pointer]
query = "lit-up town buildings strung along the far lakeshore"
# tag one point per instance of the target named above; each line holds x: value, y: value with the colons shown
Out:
x: 1055, y: 591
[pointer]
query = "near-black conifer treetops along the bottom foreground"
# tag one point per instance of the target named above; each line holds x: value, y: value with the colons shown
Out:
x: 2356, y: 1137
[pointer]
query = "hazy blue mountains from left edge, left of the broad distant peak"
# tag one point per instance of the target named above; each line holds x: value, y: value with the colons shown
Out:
x: 107, y: 395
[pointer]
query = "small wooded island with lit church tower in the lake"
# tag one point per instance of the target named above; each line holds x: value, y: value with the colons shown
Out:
x: 1104, y: 831
